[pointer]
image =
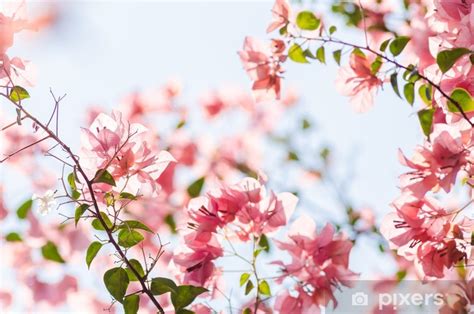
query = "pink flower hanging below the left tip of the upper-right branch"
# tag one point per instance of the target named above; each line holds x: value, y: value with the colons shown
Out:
x: 263, y: 65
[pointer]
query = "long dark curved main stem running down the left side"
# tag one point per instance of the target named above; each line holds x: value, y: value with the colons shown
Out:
x: 89, y: 183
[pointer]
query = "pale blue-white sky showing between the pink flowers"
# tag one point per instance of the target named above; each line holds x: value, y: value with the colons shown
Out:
x: 103, y: 50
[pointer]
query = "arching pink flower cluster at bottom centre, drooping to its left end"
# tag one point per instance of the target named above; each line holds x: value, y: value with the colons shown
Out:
x: 247, y: 206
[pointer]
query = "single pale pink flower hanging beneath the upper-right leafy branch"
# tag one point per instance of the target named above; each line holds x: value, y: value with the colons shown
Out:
x: 358, y: 82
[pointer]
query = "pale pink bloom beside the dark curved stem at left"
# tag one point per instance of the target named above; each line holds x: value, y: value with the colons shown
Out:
x: 124, y: 151
